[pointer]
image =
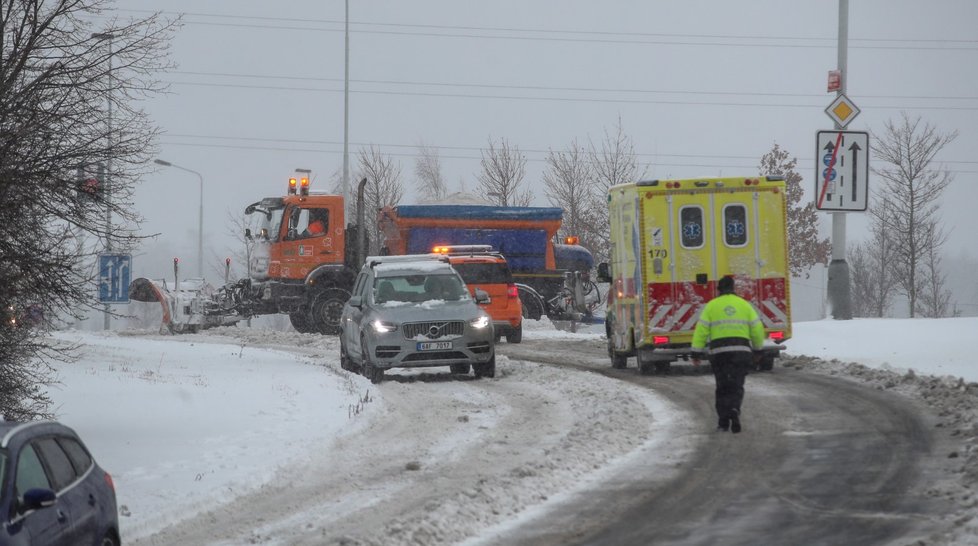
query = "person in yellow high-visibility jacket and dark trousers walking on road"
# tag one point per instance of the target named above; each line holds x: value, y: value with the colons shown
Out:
x: 729, y: 330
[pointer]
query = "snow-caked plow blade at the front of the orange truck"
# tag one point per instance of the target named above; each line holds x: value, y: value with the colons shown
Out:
x: 184, y: 307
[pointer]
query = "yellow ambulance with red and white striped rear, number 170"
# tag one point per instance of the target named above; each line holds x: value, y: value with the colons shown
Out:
x: 671, y: 241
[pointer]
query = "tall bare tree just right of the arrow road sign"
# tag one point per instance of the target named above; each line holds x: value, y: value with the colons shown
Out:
x: 911, y: 186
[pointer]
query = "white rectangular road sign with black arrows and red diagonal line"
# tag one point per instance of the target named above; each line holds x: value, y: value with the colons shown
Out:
x: 842, y: 170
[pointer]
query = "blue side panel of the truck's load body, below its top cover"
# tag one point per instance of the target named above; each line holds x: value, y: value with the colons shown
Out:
x: 525, y: 249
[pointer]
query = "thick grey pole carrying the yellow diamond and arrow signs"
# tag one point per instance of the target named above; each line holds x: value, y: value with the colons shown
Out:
x: 838, y: 282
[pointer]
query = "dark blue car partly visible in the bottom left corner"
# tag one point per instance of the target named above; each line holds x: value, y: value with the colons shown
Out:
x: 52, y: 491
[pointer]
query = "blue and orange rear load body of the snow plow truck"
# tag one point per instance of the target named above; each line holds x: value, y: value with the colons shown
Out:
x: 553, y: 278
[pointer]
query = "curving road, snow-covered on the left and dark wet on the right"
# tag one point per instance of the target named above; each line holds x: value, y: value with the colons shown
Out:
x: 575, y: 452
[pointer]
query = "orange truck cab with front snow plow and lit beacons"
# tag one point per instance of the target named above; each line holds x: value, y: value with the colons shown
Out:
x: 302, y: 261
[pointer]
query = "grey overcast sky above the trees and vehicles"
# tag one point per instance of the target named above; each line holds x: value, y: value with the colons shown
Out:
x: 703, y: 87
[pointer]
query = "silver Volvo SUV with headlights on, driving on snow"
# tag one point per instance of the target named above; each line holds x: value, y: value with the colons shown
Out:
x: 414, y: 311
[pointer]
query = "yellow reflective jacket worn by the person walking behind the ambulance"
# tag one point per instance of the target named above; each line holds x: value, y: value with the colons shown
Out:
x: 728, y: 316
